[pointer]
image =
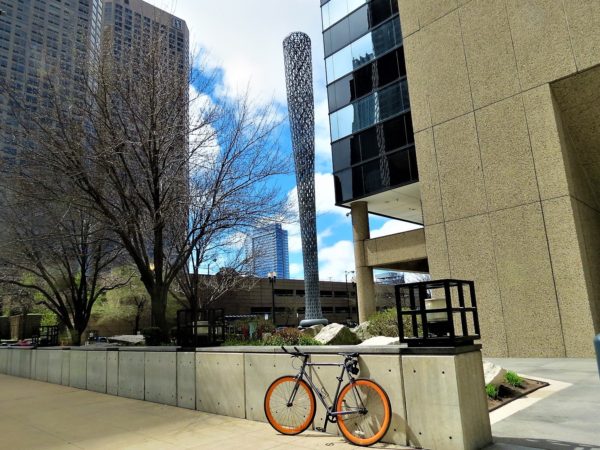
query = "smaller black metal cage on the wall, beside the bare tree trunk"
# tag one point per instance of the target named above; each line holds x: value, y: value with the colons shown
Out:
x: 202, y: 328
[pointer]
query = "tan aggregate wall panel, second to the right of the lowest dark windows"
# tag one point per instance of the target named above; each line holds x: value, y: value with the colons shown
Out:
x: 459, y: 166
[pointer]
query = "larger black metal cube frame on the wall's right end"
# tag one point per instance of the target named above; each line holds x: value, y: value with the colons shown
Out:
x: 437, y: 313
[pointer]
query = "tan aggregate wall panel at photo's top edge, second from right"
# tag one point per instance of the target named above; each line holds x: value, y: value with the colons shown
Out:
x: 541, y: 41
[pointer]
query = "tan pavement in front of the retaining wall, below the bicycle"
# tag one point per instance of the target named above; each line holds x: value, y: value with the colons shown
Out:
x: 37, y: 415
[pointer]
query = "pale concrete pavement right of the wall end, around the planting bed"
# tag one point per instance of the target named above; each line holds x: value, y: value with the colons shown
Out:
x: 568, y: 419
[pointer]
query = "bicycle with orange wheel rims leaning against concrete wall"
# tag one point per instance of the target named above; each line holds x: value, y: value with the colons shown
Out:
x: 361, y: 408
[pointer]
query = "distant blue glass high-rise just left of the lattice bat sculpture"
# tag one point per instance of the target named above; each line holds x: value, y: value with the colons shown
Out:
x: 269, y: 249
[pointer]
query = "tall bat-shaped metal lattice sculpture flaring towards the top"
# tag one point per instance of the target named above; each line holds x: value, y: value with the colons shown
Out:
x: 298, y: 79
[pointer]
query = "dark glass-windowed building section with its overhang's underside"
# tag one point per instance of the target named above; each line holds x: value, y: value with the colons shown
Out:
x: 369, y: 107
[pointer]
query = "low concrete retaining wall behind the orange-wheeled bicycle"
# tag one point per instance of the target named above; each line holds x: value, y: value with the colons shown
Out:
x: 438, y: 400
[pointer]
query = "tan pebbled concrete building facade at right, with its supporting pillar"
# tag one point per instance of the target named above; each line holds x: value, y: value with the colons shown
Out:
x: 505, y: 113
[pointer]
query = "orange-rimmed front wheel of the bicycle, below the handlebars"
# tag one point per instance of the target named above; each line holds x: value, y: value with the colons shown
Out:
x: 286, y: 412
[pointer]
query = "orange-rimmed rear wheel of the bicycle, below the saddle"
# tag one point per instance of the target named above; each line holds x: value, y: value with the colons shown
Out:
x: 366, y: 412
